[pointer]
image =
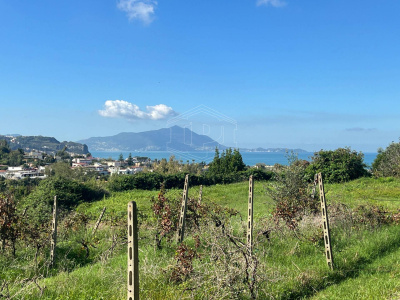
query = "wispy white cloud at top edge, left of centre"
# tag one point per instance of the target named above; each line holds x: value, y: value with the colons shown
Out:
x: 142, y: 10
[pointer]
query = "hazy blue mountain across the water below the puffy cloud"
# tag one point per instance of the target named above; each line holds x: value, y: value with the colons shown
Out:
x: 165, y: 139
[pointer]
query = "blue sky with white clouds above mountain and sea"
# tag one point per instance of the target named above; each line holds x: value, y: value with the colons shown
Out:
x: 307, y: 74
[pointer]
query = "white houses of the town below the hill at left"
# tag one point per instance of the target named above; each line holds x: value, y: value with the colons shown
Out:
x: 102, y: 167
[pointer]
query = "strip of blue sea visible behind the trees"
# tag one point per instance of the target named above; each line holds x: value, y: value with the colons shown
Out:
x: 249, y: 158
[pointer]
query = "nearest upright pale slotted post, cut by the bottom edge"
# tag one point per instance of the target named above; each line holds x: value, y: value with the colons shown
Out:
x: 133, y: 253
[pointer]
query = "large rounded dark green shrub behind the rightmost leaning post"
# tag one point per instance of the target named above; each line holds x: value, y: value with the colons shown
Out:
x: 340, y: 165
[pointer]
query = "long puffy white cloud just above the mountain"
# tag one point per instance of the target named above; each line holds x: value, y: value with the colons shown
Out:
x: 127, y: 110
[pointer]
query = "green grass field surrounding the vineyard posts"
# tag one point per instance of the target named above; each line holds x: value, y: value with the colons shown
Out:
x: 367, y: 257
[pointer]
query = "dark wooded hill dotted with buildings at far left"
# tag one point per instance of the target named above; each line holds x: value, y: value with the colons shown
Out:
x: 43, y: 143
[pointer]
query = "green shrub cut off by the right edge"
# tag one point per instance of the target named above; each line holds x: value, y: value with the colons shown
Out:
x: 387, y: 162
